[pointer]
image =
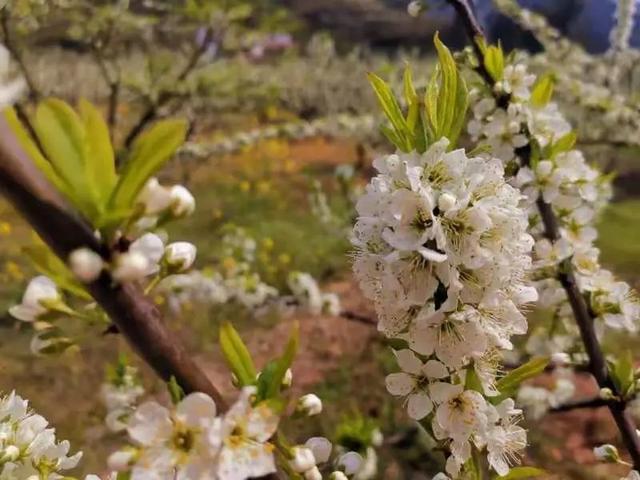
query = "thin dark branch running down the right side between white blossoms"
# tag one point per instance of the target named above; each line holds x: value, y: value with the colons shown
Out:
x: 583, y: 316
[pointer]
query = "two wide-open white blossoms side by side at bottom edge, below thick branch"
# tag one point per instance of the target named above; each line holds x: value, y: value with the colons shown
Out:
x: 191, y: 441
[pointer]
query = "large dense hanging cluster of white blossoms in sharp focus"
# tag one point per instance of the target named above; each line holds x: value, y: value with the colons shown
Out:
x: 443, y: 251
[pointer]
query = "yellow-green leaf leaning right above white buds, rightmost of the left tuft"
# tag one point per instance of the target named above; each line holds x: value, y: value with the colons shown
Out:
x: 149, y: 153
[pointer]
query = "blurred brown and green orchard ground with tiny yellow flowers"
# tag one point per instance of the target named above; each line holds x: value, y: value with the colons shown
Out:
x: 265, y: 190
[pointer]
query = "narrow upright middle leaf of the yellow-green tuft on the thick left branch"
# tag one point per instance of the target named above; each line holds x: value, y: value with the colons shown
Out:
x: 101, y: 167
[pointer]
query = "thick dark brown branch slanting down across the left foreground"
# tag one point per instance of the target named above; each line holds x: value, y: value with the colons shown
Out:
x: 136, y: 317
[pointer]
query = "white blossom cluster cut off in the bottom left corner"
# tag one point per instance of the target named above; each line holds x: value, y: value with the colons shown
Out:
x: 28, y: 449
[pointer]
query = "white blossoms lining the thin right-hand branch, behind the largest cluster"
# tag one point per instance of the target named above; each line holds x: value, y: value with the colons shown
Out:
x: 577, y: 192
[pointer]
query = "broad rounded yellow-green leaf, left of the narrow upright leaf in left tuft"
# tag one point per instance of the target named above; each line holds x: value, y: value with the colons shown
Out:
x: 63, y: 138
